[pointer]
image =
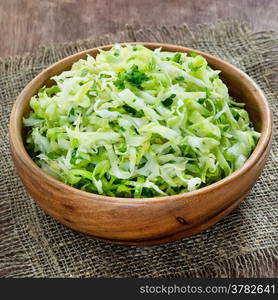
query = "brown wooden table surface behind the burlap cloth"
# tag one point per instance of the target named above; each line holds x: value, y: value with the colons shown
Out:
x: 26, y: 24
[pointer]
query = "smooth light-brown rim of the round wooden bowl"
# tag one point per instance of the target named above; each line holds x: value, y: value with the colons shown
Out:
x: 265, y: 138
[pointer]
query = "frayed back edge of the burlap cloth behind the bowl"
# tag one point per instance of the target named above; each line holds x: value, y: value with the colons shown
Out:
x: 264, y: 42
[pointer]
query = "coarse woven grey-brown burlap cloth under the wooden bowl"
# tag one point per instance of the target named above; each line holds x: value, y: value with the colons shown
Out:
x: 244, y: 244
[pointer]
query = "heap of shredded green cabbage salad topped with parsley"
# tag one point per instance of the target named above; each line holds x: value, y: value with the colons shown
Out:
x: 133, y: 122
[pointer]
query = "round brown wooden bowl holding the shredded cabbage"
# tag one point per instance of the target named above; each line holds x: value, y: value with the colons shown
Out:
x: 152, y: 220
